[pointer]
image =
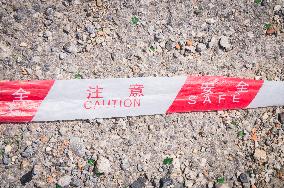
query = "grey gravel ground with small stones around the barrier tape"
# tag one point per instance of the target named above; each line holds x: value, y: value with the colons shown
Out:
x: 65, y: 39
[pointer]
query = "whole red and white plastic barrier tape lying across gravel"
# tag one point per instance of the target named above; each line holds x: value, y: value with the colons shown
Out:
x: 49, y: 100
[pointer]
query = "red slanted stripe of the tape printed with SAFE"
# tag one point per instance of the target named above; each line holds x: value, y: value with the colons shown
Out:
x: 214, y: 93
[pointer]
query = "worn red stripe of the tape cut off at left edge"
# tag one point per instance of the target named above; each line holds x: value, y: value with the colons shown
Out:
x: 20, y: 100
